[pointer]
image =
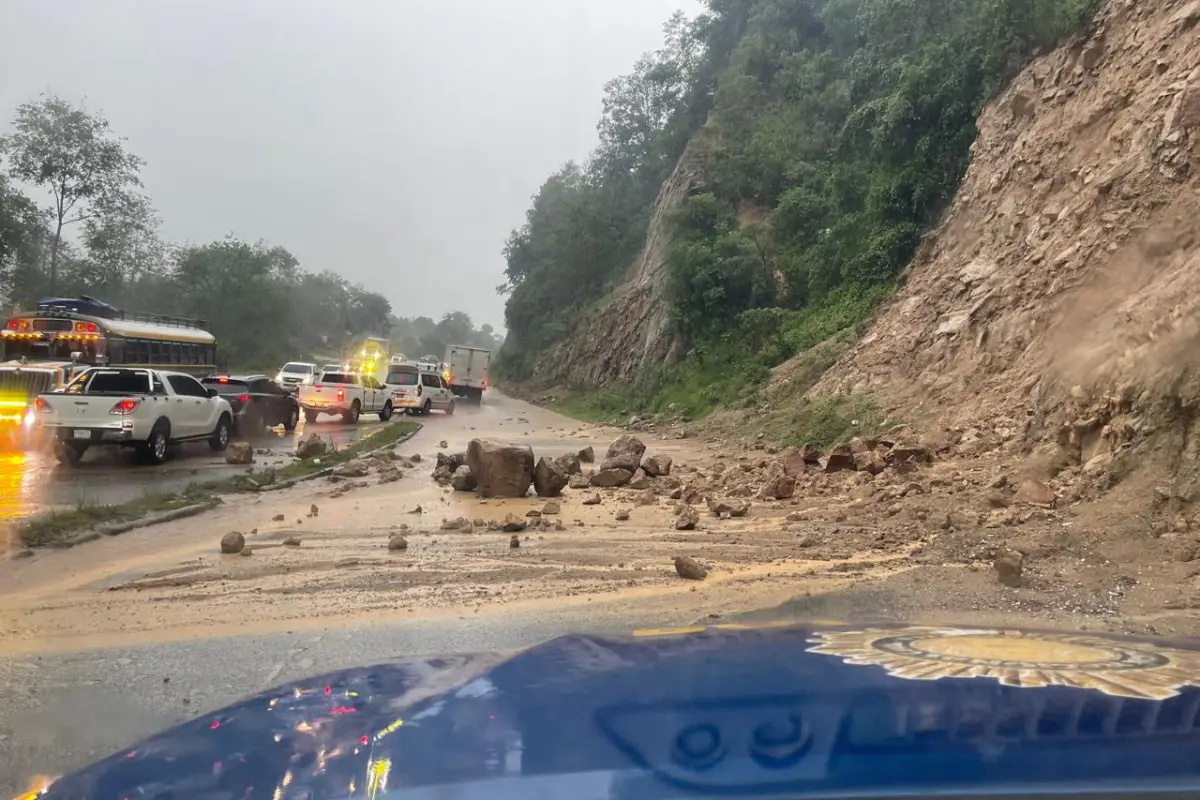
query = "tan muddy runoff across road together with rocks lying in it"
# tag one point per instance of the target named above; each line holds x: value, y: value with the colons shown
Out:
x: 392, y: 537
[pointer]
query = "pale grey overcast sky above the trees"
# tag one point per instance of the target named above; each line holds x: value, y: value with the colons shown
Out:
x: 394, y: 142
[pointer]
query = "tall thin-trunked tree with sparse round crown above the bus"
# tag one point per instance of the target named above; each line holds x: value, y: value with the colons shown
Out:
x: 73, y: 154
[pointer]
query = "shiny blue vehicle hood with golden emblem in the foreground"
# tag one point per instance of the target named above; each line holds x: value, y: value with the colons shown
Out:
x: 795, y: 711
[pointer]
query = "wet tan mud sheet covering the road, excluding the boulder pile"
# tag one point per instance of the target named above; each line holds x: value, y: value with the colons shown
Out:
x: 171, y: 582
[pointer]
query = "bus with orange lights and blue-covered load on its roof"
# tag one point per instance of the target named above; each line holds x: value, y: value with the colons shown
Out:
x: 92, y: 333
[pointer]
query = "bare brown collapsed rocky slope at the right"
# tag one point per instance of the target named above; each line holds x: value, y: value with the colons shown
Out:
x: 1058, y: 303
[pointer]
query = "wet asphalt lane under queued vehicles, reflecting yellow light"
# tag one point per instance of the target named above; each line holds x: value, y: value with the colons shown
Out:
x: 32, y: 483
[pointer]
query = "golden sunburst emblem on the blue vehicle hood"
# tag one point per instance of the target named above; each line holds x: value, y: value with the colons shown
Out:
x: 1119, y: 669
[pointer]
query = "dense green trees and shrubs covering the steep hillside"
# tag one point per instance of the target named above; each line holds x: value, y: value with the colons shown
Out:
x: 841, y: 130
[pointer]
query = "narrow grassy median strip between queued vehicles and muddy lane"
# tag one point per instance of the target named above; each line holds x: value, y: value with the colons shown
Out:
x: 57, y: 527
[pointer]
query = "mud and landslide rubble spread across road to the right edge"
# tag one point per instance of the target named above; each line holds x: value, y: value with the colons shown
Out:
x: 920, y: 546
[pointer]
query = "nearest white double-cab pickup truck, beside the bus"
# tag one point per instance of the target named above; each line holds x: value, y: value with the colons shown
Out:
x: 147, y: 410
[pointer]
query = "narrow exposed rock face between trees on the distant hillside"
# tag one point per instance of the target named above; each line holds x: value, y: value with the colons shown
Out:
x: 633, y: 328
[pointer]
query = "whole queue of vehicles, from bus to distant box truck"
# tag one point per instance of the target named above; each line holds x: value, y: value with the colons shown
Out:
x: 77, y: 374
